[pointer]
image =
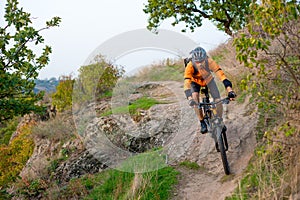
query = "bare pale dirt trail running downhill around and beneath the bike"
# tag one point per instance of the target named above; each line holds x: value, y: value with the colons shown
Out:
x: 210, y: 182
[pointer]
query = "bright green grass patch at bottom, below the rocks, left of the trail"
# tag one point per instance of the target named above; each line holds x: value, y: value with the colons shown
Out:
x: 129, y: 181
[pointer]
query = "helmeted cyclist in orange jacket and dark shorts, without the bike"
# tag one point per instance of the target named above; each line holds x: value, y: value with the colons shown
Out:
x: 198, y: 74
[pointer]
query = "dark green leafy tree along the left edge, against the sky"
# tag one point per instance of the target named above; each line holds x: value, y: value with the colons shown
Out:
x: 19, y: 65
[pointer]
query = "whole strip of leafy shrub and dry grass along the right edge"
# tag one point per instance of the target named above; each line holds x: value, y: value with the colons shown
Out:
x: 269, y: 47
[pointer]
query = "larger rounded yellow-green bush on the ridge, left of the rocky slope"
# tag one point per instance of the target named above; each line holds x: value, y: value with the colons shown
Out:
x: 95, y: 80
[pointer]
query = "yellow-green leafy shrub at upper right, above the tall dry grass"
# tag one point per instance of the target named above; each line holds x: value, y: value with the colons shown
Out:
x: 269, y: 48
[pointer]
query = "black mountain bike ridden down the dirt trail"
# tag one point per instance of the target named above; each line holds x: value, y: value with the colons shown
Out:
x: 216, y: 127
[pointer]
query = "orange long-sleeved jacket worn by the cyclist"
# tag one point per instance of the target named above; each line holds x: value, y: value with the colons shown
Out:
x: 203, y: 77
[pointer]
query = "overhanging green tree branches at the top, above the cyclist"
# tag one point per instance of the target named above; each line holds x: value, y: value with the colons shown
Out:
x: 227, y: 15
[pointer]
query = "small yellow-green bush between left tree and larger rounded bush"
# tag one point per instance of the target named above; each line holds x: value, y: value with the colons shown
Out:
x: 62, y: 98
